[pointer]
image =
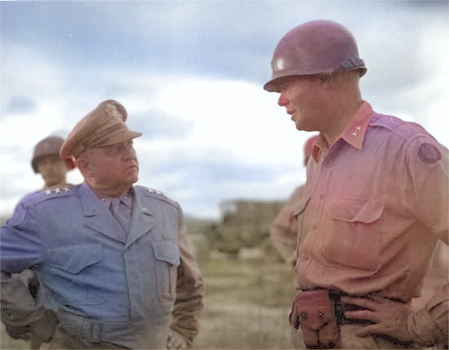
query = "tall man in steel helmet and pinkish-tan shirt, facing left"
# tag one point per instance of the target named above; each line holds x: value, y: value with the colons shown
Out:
x: 376, y: 208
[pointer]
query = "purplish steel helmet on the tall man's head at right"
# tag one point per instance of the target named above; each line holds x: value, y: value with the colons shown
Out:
x: 314, y: 47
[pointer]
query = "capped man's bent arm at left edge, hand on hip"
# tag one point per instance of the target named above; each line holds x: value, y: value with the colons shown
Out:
x: 21, y: 249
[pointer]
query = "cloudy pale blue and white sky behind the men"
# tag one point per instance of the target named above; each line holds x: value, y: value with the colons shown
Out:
x: 191, y: 76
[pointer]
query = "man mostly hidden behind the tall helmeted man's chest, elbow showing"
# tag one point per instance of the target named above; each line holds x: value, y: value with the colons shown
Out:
x: 283, y: 232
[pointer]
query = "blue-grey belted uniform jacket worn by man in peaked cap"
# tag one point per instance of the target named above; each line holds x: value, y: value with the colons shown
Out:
x: 103, y: 284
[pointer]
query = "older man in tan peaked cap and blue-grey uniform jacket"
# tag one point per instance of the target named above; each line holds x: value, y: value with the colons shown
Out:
x: 113, y: 259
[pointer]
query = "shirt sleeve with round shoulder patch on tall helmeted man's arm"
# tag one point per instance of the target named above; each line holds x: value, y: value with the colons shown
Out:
x: 427, y: 195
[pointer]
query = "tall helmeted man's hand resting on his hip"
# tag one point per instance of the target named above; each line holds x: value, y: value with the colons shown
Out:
x: 388, y: 317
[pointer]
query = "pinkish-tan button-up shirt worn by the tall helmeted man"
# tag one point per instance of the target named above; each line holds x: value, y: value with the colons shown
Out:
x: 376, y: 205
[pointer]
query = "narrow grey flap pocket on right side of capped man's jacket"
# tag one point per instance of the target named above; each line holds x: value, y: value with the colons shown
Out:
x: 167, y: 260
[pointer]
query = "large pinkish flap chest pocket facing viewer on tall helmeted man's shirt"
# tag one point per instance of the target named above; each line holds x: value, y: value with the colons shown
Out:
x: 354, y: 236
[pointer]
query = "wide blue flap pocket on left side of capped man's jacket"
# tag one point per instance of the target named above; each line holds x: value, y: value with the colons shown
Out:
x: 76, y: 274
